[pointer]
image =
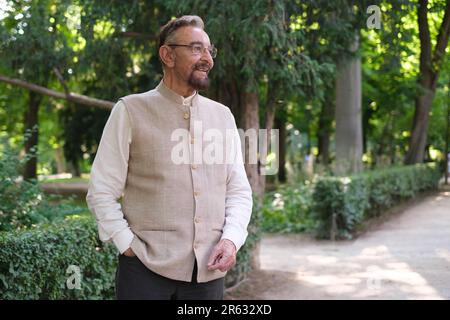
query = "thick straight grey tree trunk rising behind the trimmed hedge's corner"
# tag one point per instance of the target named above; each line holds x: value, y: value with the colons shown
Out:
x: 348, y: 116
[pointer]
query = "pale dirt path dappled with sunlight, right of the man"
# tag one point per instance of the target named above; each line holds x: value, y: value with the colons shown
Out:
x: 405, y: 257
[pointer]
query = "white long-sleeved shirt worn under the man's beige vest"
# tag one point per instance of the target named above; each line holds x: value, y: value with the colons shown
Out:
x: 109, y: 174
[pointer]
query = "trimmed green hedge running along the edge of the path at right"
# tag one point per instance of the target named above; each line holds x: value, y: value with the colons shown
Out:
x: 340, y: 204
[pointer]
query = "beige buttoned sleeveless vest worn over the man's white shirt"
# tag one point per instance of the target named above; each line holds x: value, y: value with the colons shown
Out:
x: 176, y: 211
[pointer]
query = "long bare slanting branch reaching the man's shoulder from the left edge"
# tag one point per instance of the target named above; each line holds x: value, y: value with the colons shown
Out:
x: 70, y: 96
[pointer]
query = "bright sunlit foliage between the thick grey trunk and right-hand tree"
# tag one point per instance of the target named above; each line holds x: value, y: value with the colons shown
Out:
x: 390, y: 63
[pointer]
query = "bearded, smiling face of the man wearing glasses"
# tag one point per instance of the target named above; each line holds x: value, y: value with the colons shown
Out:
x: 192, y: 68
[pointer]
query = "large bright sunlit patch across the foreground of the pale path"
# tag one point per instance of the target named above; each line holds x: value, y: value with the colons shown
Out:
x: 376, y: 281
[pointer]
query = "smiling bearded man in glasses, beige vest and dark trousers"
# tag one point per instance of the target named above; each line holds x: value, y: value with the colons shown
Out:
x: 180, y: 223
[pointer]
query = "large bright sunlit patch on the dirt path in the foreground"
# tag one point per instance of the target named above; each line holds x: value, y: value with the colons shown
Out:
x: 371, y: 273
